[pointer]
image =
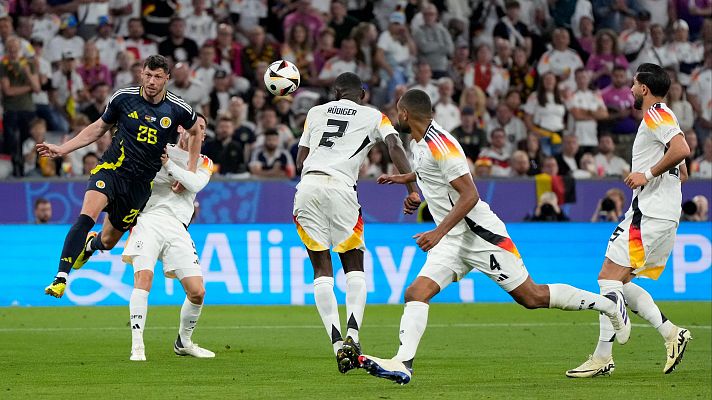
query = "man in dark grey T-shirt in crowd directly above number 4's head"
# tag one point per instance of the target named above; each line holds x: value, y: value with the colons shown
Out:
x: 433, y: 42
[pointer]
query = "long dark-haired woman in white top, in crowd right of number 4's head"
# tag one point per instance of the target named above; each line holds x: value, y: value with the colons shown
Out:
x: 545, y: 114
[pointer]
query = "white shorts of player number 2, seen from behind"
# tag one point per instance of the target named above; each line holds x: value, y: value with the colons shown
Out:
x: 327, y: 214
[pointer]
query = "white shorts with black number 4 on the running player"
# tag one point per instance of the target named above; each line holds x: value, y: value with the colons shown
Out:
x: 487, y: 248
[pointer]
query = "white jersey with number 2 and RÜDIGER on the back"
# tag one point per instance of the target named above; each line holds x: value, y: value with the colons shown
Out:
x: 339, y: 135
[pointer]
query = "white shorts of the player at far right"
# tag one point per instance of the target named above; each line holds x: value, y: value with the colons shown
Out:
x: 642, y: 243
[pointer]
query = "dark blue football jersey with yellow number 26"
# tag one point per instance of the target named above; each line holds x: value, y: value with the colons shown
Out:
x: 144, y: 129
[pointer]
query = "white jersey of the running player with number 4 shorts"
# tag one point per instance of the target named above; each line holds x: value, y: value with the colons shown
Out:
x: 438, y: 160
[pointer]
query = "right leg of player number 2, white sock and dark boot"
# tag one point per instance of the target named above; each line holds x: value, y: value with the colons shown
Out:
x: 356, y: 292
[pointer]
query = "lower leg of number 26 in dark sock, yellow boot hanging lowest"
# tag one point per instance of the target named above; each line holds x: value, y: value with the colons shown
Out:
x: 76, y: 240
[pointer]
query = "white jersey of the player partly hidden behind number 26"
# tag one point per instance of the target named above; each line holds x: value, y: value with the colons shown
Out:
x: 163, y: 200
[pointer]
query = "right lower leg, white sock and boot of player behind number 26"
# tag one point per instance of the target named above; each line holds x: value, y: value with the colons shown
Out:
x: 189, y: 315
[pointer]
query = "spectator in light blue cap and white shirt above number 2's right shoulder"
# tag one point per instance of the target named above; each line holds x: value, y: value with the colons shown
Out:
x: 398, y: 51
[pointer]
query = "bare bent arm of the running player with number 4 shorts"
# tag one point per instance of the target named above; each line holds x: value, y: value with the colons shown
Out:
x: 467, y: 201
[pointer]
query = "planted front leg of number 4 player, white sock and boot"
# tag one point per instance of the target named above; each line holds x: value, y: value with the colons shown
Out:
x: 413, y: 323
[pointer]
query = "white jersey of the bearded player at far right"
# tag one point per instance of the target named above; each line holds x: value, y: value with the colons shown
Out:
x: 661, y: 197
